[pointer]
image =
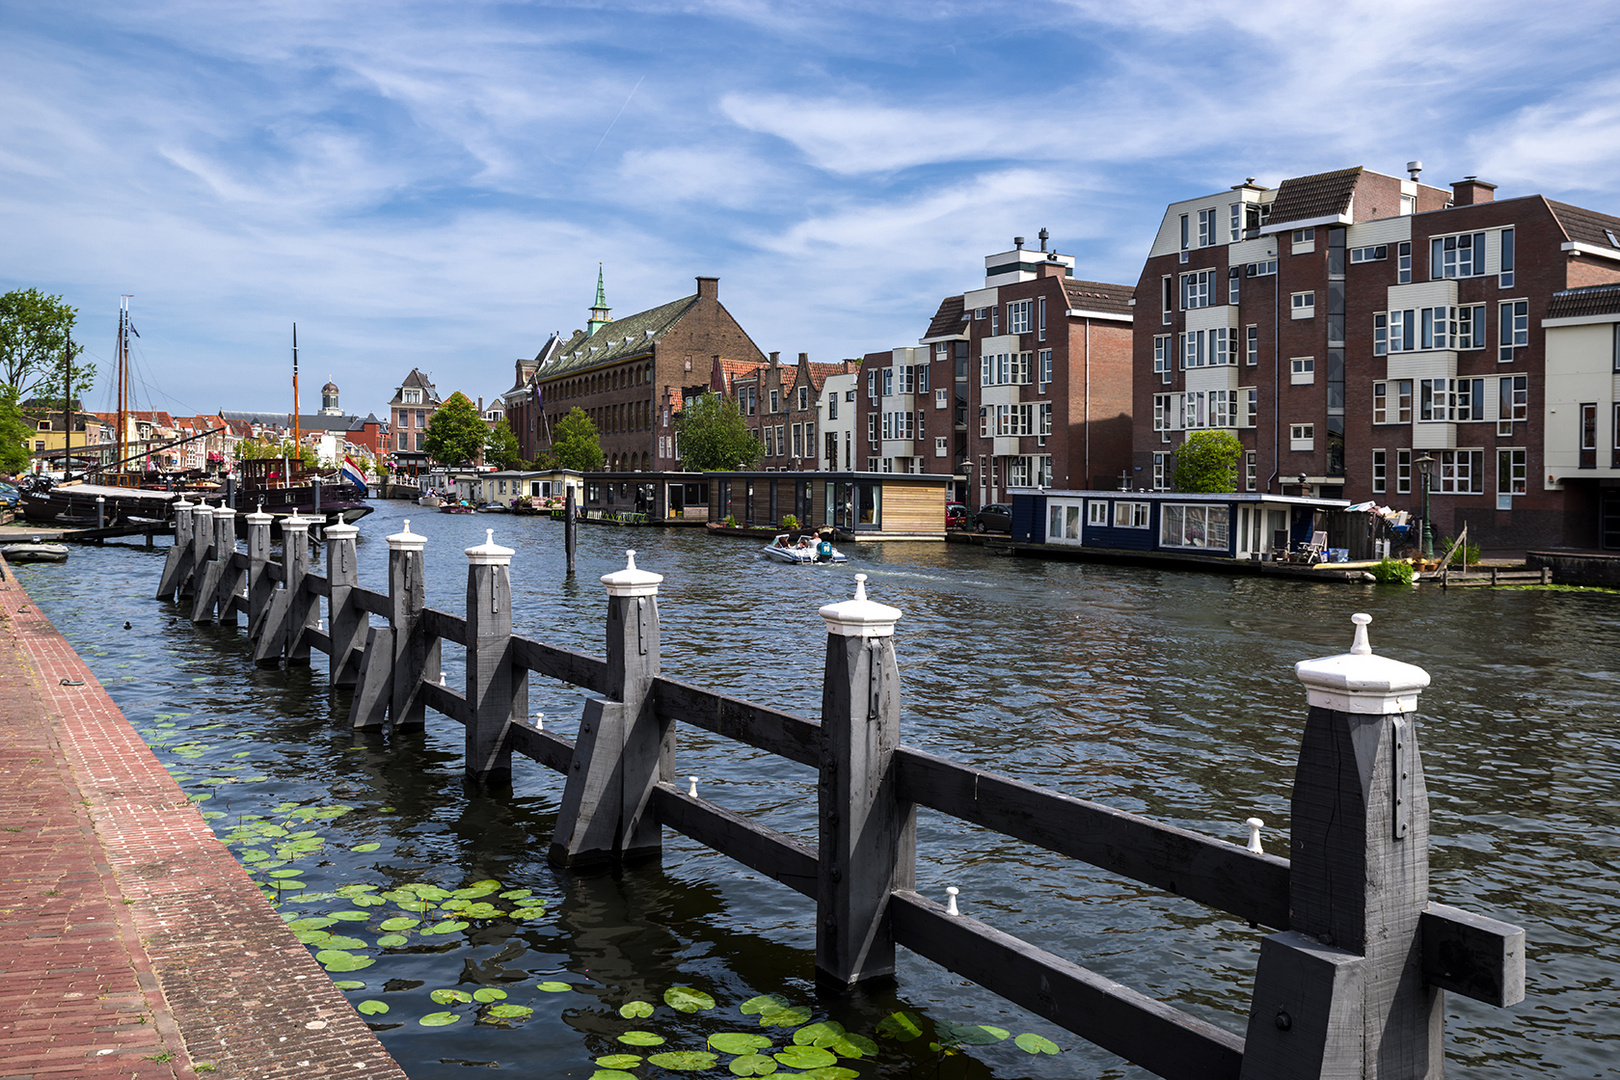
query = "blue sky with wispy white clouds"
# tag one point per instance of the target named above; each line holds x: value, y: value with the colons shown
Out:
x: 435, y: 185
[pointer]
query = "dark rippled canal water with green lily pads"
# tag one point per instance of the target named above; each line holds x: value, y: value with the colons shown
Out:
x: 1159, y: 692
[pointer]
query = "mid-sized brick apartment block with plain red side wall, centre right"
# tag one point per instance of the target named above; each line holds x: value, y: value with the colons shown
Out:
x: 1021, y: 383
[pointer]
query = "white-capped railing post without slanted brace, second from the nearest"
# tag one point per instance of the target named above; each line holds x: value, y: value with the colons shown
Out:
x: 868, y: 835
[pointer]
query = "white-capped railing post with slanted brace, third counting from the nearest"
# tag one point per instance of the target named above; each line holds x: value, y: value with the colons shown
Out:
x: 625, y: 749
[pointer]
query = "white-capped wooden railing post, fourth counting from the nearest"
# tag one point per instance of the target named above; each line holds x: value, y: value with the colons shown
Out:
x: 495, y: 694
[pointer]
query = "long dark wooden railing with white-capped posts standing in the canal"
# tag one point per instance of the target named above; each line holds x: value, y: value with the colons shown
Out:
x: 1352, y: 982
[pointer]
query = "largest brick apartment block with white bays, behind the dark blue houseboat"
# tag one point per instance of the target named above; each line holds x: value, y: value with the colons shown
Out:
x: 1354, y: 328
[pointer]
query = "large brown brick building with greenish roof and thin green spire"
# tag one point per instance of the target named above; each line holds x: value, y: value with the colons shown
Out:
x: 633, y: 375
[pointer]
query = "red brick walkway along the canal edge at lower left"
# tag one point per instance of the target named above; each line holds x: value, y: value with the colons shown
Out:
x: 132, y: 943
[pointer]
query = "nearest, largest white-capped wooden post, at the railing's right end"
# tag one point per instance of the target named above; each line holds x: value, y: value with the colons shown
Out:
x: 1342, y: 992
